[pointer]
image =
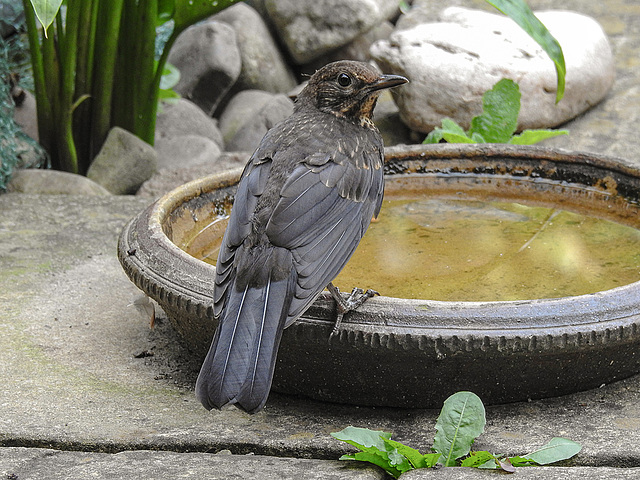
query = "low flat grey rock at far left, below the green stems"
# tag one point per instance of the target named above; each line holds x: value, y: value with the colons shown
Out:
x: 53, y: 182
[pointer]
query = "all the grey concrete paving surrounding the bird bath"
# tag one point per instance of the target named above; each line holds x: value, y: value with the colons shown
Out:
x: 90, y: 391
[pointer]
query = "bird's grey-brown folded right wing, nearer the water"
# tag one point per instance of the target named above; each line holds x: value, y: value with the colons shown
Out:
x: 325, y: 207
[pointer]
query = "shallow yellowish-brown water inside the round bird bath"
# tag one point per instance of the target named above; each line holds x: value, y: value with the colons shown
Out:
x: 470, y: 250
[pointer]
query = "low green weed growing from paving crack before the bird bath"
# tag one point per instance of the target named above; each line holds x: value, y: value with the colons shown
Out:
x: 461, y: 421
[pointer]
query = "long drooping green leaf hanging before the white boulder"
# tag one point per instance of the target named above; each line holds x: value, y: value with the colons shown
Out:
x: 519, y: 12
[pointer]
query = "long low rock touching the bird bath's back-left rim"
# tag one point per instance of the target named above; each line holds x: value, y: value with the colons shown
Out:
x: 168, y: 179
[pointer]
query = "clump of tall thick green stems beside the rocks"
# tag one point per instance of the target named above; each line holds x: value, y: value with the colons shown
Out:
x: 94, y: 67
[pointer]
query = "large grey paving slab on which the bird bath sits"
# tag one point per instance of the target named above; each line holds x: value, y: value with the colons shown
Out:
x: 82, y: 369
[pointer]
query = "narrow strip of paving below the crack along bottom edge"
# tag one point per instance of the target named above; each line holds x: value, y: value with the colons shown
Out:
x: 40, y: 463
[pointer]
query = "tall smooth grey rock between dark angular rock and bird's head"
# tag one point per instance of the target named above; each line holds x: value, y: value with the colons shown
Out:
x: 263, y: 66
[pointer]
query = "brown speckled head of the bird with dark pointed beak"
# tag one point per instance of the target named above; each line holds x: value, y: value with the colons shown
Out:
x: 347, y: 89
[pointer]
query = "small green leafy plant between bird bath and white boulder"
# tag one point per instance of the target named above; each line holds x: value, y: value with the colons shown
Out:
x: 496, y: 124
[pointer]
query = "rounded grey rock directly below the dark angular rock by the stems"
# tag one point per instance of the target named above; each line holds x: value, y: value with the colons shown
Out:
x: 183, y: 117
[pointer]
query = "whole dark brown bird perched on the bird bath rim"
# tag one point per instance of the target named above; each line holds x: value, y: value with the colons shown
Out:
x: 304, y: 201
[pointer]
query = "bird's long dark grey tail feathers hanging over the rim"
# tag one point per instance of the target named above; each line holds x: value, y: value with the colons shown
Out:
x: 240, y: 363
